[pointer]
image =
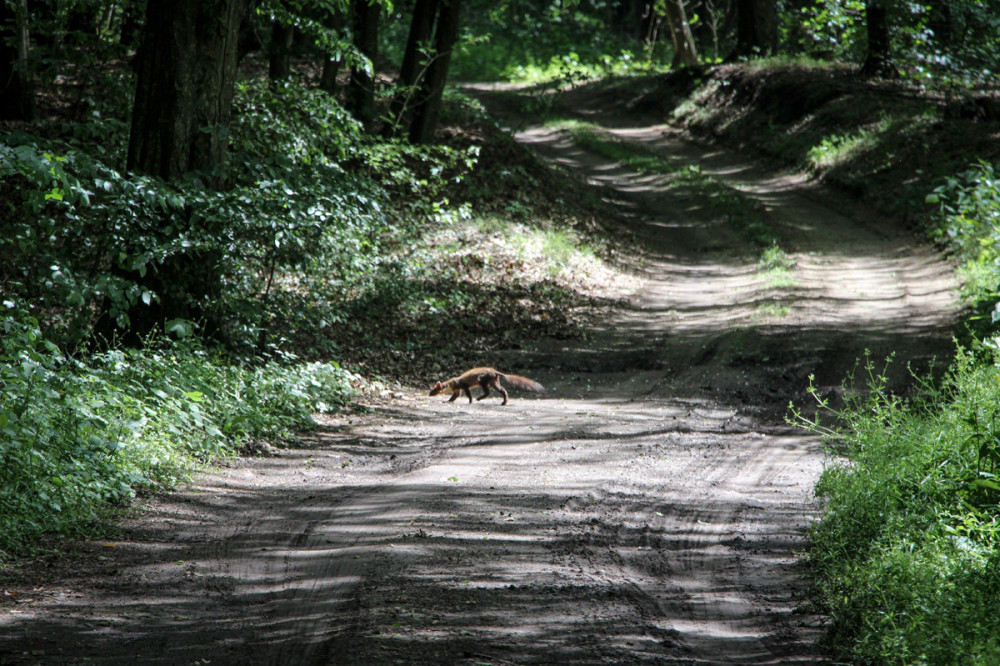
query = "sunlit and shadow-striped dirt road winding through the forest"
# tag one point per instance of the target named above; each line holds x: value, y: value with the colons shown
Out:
x: 650, y: 509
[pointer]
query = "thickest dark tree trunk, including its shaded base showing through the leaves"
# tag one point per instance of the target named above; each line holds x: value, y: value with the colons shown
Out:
x: 180, y: 119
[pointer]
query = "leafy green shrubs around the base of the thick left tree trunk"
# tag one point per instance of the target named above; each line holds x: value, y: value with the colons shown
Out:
x: 310, y: 192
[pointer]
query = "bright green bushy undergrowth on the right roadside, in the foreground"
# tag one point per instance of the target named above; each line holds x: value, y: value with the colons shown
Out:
x: 907, y: 551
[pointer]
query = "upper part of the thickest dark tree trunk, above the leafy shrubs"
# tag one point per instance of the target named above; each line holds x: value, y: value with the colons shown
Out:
x: 184, y: 87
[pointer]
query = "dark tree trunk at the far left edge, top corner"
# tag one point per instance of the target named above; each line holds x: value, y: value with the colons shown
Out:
x: 17, y: 100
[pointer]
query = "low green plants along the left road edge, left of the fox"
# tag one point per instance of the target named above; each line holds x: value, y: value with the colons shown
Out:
x: 79, y: 437
